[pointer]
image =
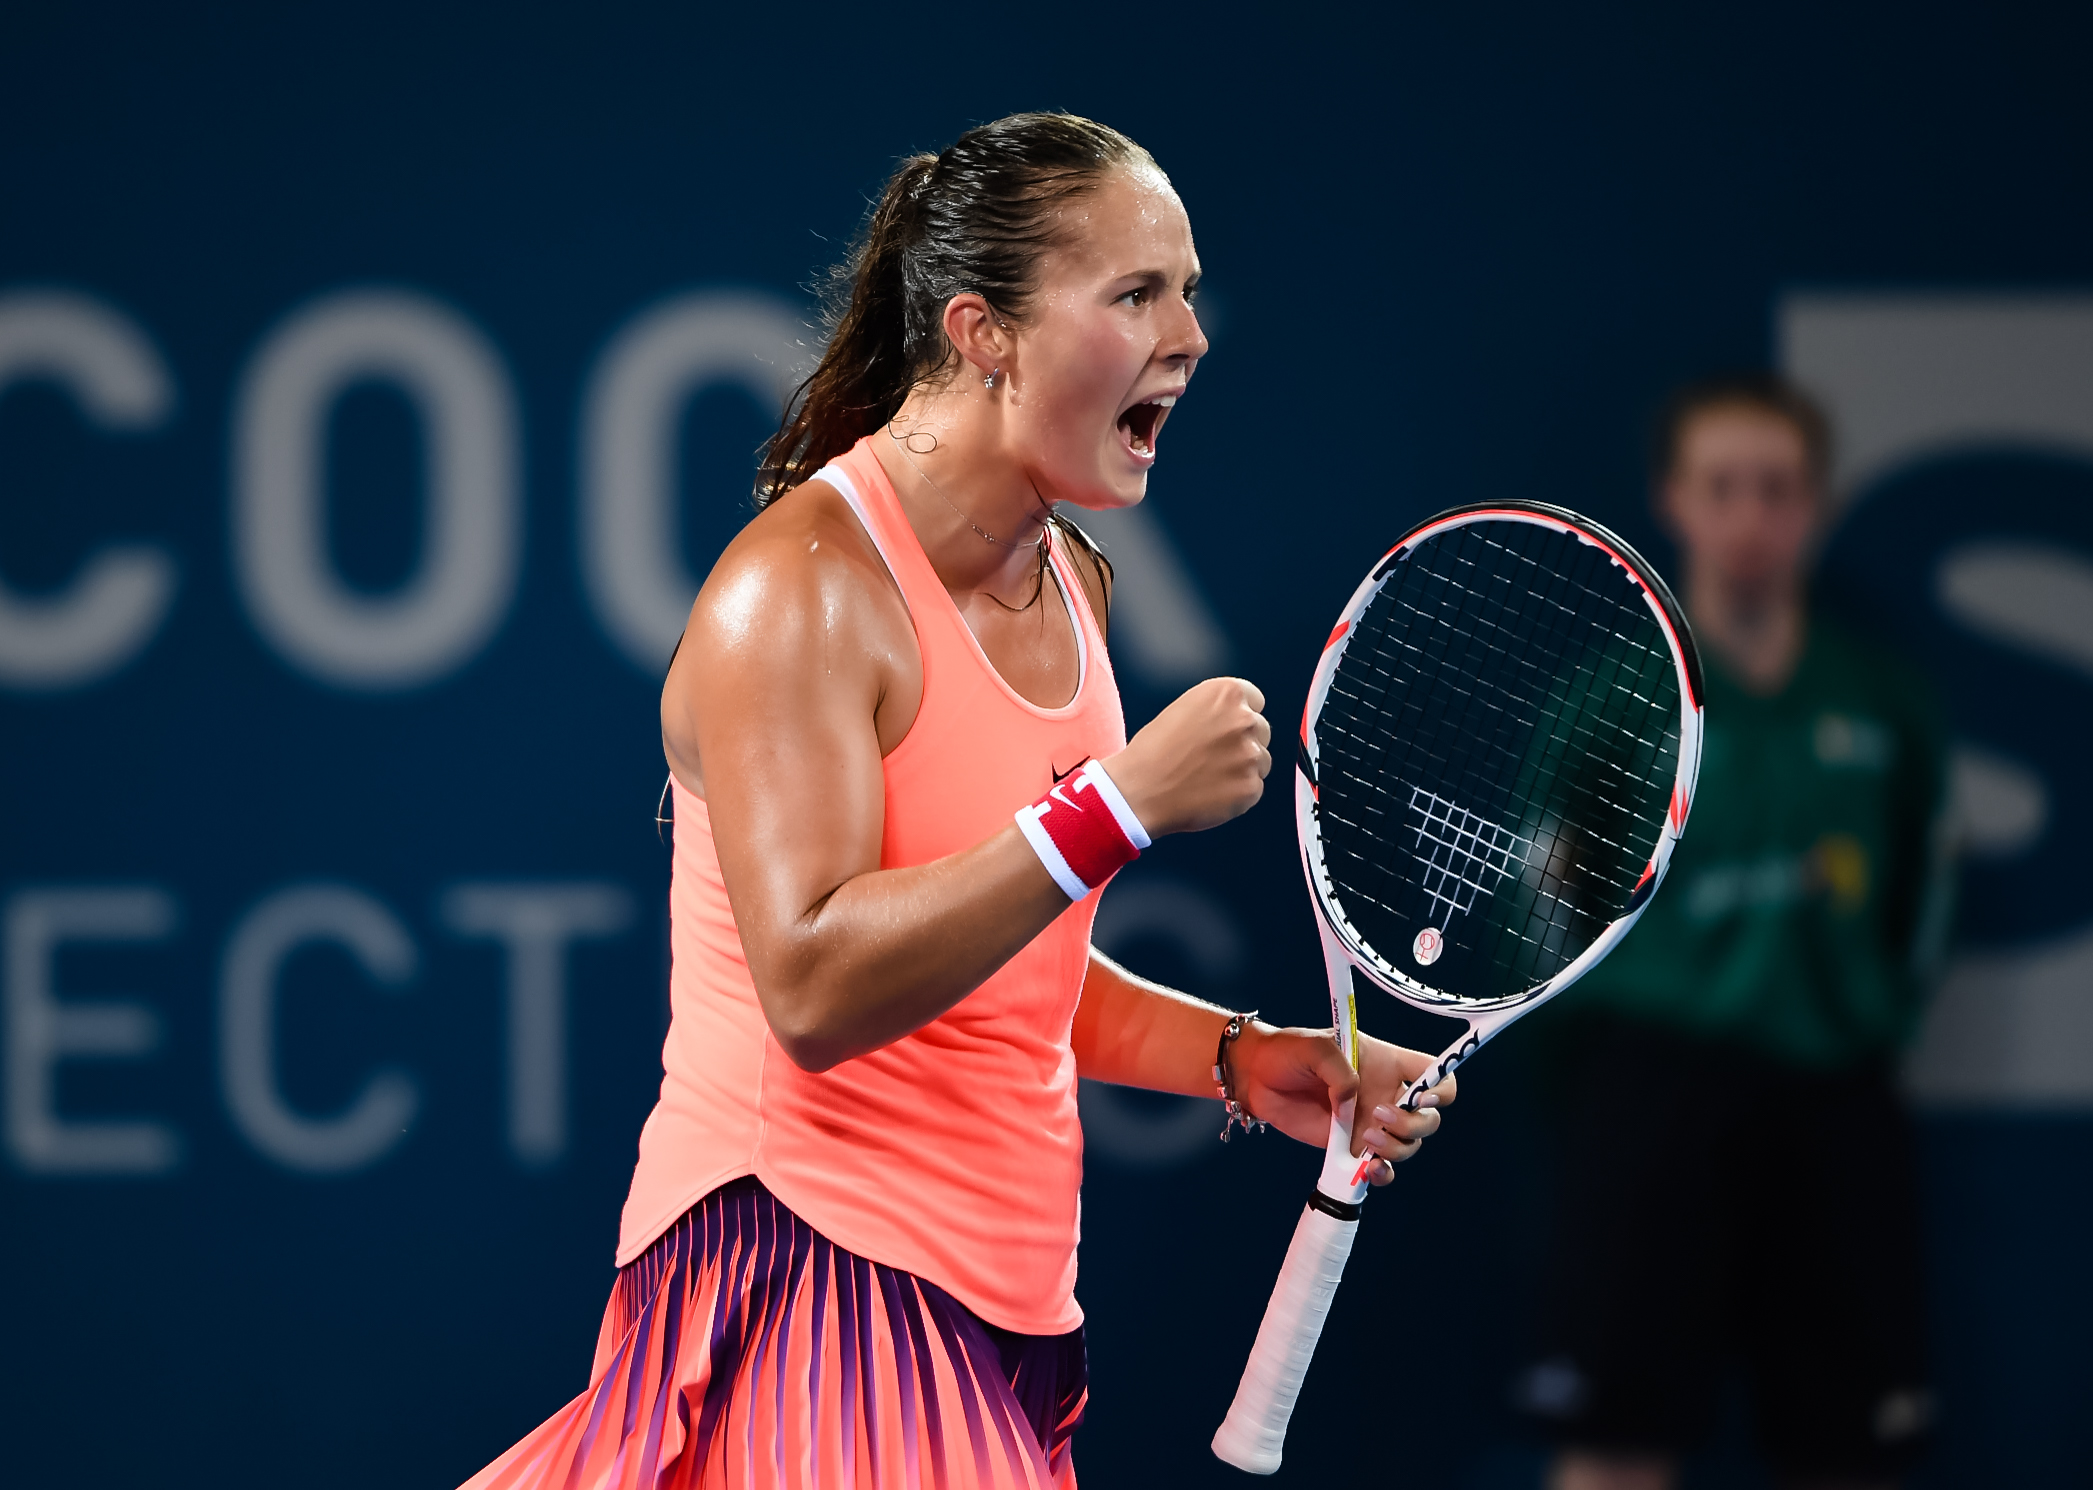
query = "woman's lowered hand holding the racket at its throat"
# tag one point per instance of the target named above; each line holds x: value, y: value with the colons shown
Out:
x: 1295, y: 1079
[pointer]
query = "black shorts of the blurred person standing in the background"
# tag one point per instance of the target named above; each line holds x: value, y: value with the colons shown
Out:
x: 1721, y: 1217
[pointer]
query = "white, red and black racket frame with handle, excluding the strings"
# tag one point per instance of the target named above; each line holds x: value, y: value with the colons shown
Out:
x: 1253, y: 1437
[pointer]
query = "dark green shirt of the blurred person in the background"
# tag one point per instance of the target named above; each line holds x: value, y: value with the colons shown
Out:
x: 1809, y: 895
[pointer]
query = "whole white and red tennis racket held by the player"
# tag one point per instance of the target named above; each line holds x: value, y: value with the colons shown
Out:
x: 1495, y: 763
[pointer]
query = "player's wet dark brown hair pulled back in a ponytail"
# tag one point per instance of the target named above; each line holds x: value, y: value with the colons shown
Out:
x: 978, y: 217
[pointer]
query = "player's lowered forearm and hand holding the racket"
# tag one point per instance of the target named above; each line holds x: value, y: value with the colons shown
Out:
x: 1135, y: 1033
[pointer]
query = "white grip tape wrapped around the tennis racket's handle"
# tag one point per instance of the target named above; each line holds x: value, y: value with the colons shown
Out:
x: 1255, y: 1435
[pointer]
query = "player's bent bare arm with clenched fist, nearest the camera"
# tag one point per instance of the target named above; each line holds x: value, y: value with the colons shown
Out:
x: 780, y: 683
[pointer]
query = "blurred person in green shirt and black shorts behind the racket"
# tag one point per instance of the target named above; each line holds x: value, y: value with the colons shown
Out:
x: 1738, y: 1190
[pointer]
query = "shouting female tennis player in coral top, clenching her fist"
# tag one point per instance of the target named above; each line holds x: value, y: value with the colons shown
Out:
x: 899, y: 775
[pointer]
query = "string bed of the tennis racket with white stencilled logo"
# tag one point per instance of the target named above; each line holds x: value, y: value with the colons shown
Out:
x: 1495, y: 738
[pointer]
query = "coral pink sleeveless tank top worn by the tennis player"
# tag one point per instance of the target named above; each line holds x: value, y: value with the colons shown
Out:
x: 953, y: 1152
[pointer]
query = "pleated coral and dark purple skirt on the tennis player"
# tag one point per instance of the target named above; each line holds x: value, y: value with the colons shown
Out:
x: 746, y: 1349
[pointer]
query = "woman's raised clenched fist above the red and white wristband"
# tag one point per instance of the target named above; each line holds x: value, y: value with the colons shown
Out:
x: 1198, y: 763
